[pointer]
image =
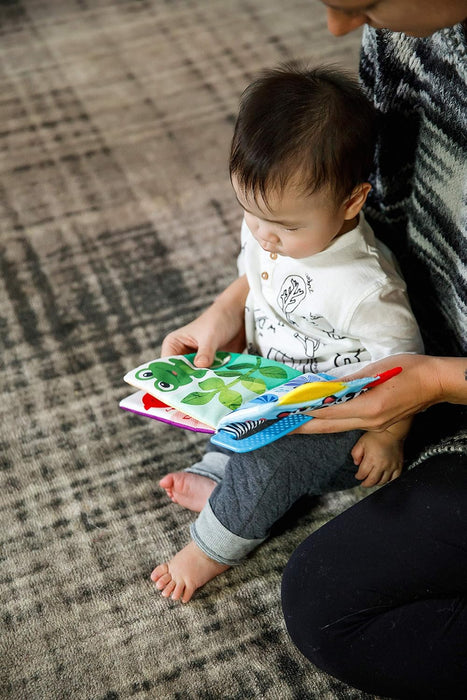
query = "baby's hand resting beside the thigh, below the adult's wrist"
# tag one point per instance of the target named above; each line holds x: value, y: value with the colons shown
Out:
x: 379, y: 457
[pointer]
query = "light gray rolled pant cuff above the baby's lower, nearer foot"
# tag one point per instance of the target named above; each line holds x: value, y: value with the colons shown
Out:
x: 219, y: 543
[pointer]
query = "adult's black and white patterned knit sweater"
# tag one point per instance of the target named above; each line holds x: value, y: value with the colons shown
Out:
x: 418, y: 205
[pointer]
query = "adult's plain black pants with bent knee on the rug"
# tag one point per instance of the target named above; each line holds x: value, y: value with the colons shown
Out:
x: 378, y: 596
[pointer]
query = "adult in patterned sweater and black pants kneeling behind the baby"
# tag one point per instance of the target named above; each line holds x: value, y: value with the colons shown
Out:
x: 378, y: 596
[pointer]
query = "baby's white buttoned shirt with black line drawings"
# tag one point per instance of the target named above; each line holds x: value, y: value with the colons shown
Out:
x: 345, y: 305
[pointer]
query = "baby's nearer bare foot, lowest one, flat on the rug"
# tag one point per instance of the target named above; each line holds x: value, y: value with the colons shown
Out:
x: 190, y: 569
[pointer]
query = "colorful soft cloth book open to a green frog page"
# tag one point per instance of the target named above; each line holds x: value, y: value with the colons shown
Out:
x: 245, y: 401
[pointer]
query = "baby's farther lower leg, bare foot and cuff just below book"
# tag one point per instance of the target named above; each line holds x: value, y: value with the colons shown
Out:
x: 192, y: 487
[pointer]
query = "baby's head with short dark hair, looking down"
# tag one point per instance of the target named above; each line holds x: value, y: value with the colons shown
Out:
x: 300, y: 157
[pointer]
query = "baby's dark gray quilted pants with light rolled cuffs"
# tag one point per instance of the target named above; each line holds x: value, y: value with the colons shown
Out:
x: 255, y: 489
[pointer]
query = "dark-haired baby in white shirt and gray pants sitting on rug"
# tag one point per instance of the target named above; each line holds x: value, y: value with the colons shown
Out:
x: 316, y: 291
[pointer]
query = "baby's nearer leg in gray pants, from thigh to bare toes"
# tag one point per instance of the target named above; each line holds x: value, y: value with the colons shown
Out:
x: 257, y: 489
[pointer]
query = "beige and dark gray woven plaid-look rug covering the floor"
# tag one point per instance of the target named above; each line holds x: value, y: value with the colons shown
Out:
x: 117, y: 224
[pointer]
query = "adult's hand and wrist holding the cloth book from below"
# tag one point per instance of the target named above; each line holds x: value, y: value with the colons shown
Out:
x: 424, y: 381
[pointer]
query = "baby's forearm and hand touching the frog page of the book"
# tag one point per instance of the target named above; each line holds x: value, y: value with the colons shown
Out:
x: 220, y: 327
